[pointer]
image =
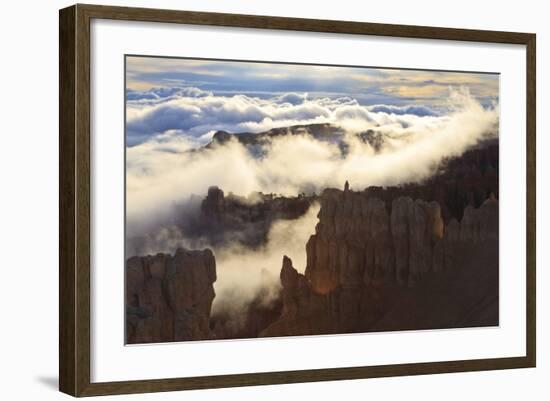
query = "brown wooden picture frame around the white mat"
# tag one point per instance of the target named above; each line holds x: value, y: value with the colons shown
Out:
x: 74, y: 199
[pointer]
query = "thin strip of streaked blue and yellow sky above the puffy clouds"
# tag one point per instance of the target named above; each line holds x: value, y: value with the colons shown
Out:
x: 367, y: 85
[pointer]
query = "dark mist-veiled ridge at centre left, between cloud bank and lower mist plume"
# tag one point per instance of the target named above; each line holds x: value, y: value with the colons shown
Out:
x: 220, y: 219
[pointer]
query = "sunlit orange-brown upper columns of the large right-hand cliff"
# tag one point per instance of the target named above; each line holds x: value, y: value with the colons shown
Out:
x: 358, y: 242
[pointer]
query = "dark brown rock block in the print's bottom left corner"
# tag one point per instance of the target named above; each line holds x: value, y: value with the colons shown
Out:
x: 169, y: 298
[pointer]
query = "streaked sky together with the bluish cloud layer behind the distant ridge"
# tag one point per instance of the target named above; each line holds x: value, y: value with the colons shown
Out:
x: 196, y: 97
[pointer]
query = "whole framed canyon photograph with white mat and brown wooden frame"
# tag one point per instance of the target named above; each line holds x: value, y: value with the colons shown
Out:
x: 251, y: 200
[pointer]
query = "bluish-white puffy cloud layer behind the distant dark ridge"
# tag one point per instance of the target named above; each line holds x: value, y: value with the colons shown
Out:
x: 194, y: 113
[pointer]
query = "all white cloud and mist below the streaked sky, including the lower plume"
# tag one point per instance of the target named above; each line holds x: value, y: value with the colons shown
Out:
x: 164, y: 171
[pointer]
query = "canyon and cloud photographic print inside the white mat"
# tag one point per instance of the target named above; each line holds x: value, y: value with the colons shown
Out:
x: 268, y: 199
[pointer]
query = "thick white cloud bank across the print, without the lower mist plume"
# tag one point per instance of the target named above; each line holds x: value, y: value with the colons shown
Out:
x: 163, y: 170
